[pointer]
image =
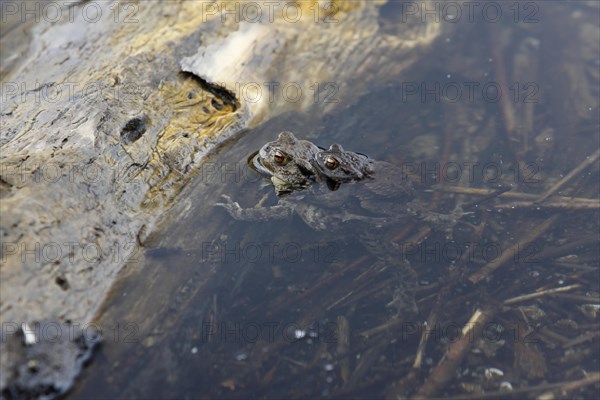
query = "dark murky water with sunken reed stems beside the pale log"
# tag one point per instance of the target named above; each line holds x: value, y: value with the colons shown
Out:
x: 220, y: 308
